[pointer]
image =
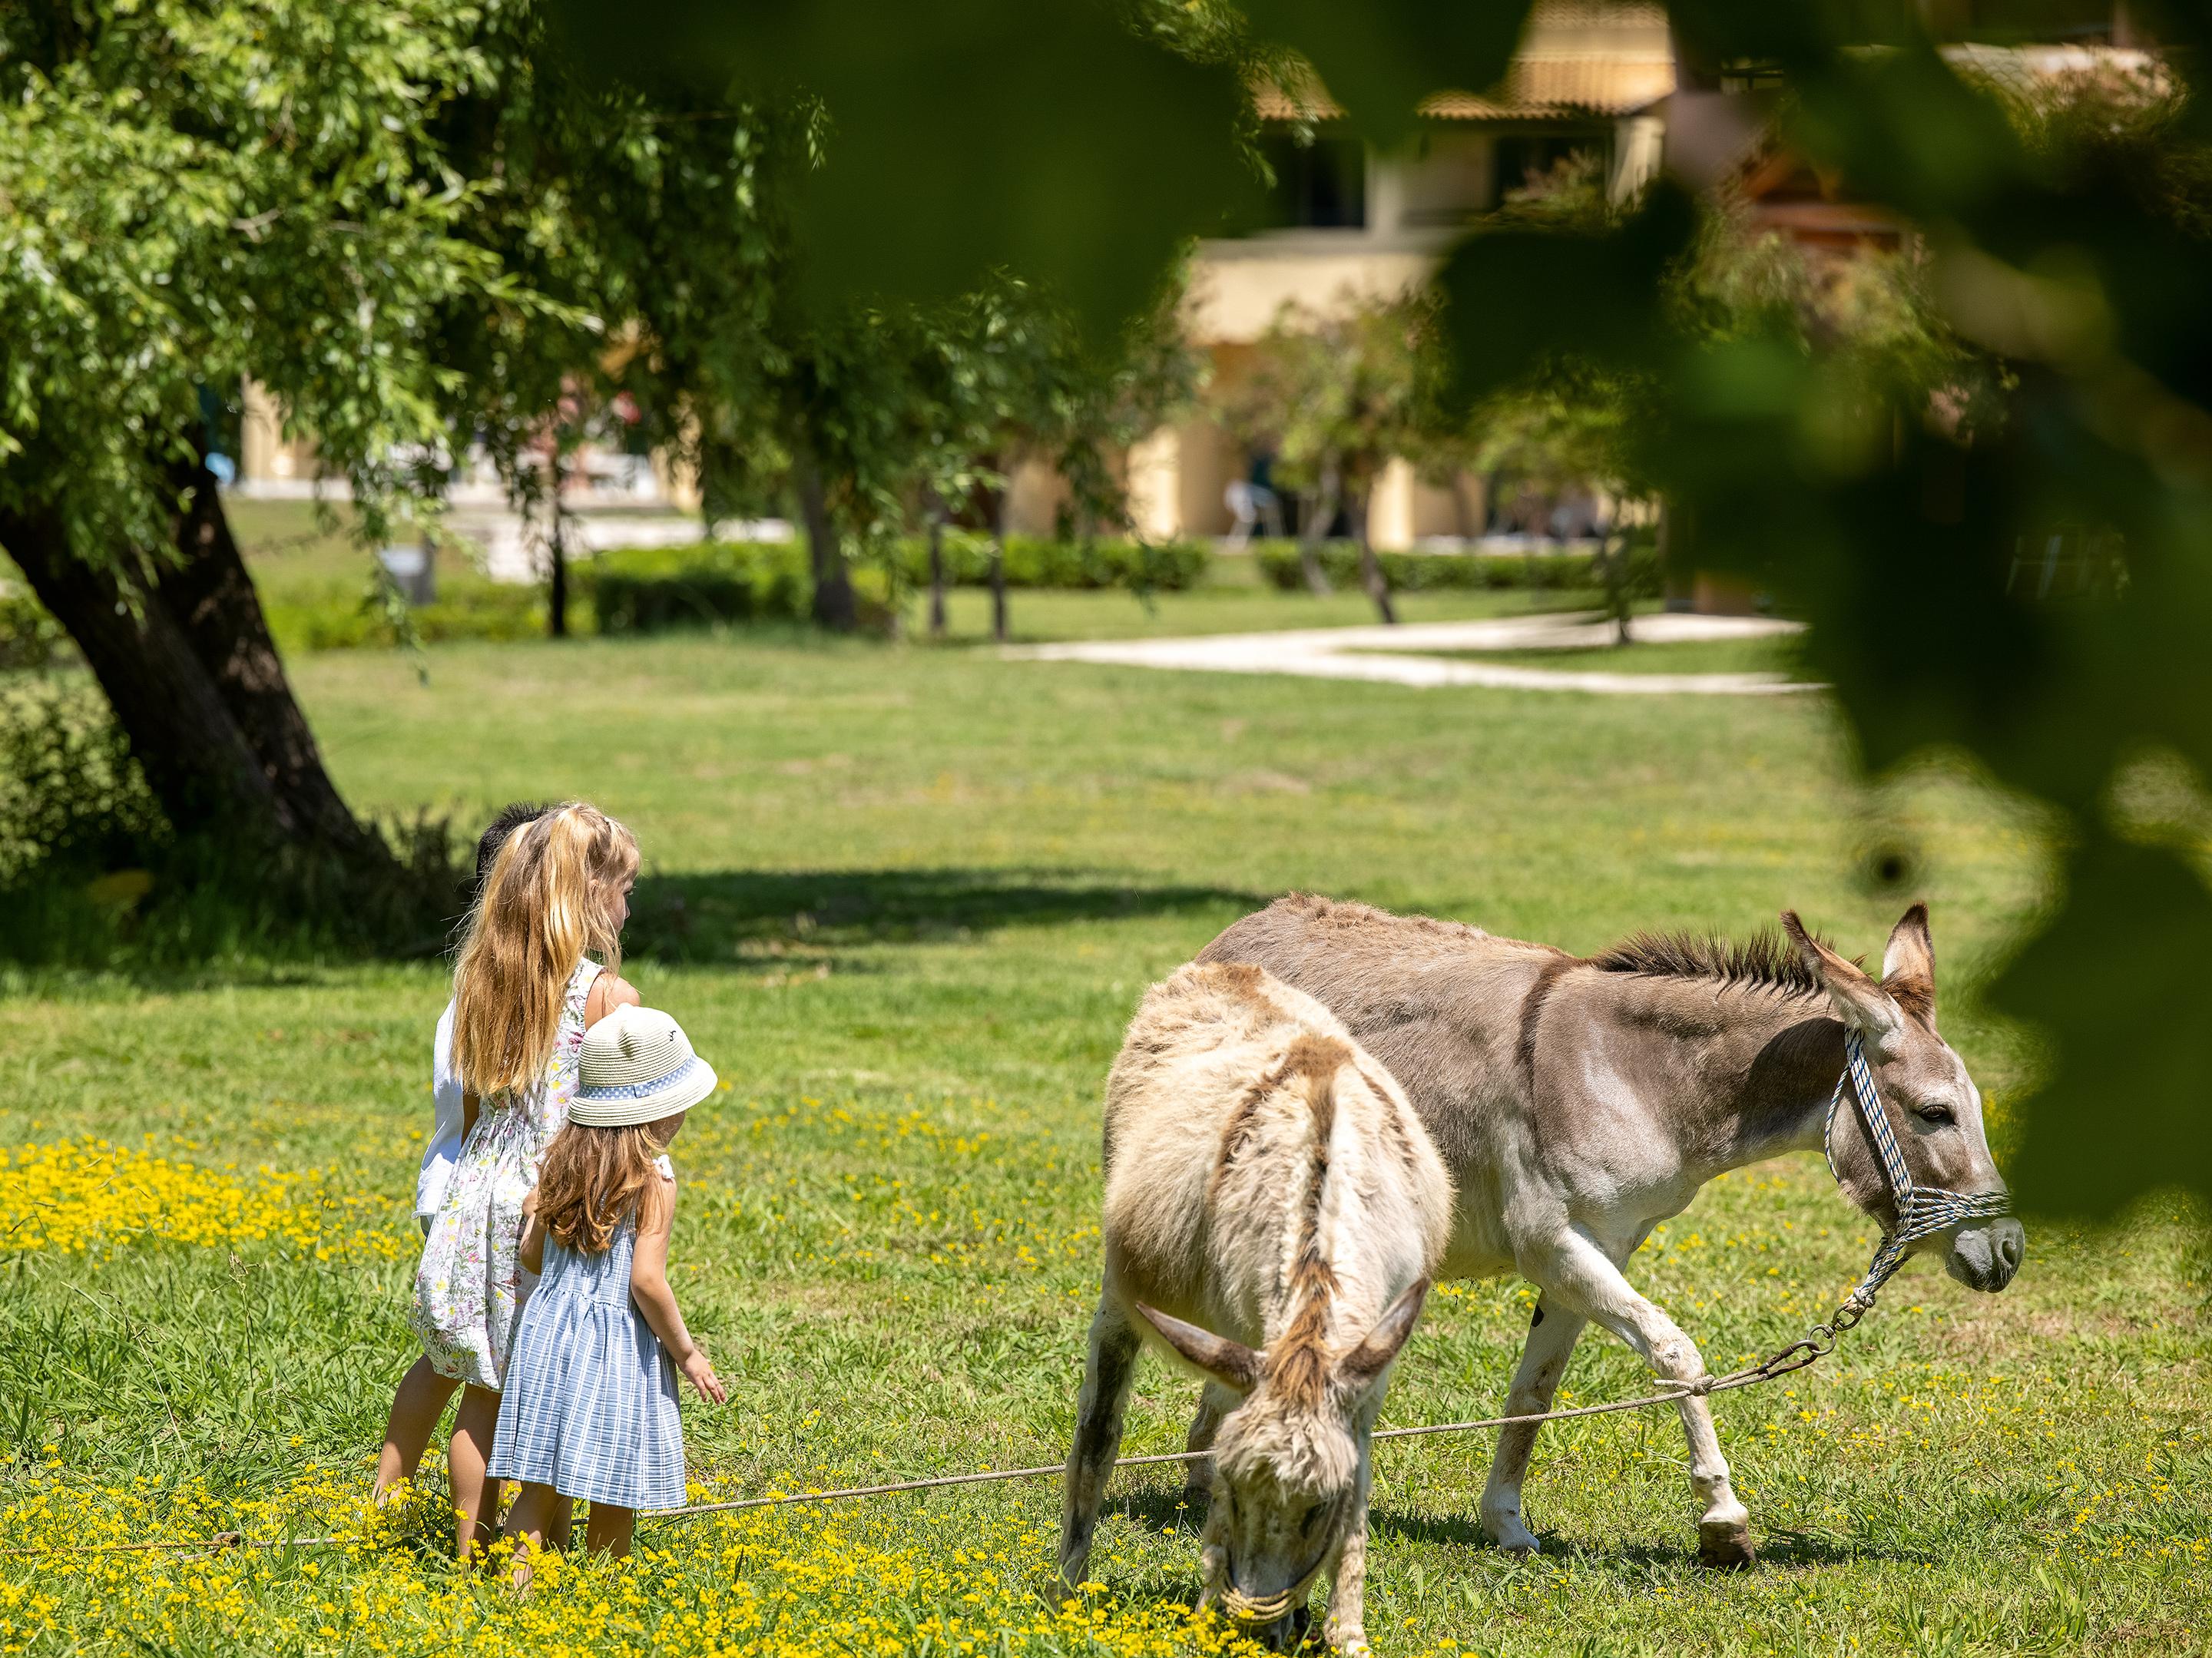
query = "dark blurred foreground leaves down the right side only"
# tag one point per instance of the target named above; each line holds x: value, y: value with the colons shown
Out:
x: 1886, y: 474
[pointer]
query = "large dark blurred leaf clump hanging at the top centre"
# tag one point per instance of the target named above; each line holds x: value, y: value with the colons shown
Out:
x: 1129, y: 138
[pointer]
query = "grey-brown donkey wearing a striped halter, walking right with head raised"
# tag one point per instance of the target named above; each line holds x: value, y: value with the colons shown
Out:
x: 1578, y: 1102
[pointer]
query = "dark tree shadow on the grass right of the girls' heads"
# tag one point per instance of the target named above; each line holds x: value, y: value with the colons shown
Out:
x: 760, y: 914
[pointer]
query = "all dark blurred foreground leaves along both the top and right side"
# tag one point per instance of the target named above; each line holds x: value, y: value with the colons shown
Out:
x: 2047, y: 408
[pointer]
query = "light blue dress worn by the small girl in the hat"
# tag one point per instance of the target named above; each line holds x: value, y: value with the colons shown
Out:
x: 592, y: 1396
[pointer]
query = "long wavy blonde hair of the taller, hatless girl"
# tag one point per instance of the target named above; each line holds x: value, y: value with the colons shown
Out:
x: 545, y: 907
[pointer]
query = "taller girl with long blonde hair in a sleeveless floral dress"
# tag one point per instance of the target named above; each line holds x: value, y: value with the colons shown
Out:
x: 525, y: 991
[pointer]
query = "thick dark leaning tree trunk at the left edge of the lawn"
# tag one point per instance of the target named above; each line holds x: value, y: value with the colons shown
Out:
x: 187, y: 662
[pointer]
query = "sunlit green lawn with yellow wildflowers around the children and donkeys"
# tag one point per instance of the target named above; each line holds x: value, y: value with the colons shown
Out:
x: 906, y: 899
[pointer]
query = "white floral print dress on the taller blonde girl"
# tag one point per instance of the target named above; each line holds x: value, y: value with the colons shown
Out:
x: 472, y: 1272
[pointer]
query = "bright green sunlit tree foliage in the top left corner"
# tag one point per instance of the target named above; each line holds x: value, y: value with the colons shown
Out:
x: 207, y: 193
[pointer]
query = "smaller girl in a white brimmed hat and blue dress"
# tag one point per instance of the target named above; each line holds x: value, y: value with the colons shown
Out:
x: 589, y: 1407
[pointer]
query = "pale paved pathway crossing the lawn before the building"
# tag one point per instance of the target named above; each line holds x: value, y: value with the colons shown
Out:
x: 1392, y: 655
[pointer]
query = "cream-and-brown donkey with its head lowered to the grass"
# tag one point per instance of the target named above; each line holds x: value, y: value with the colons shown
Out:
x: 1273, y: 1213
